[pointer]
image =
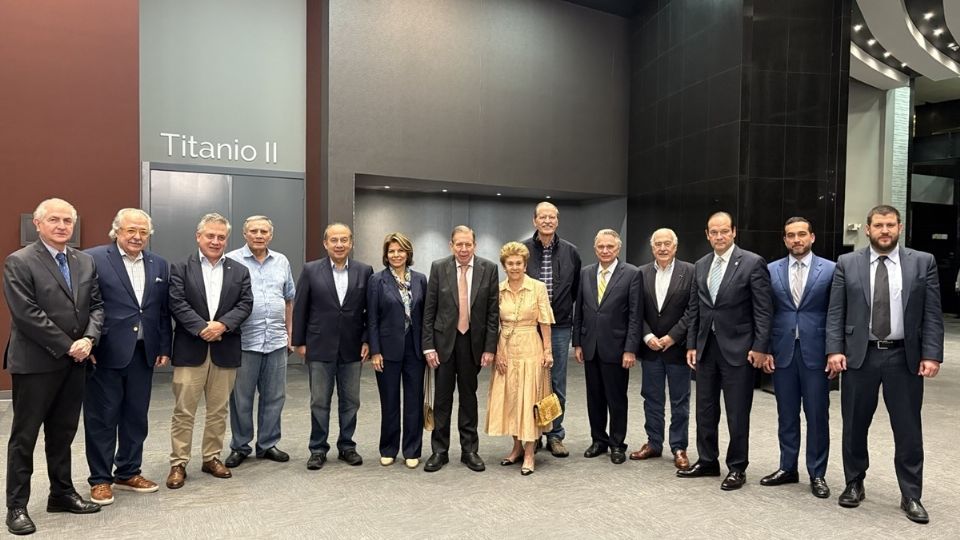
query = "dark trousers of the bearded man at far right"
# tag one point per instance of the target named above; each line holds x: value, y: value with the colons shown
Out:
x: 903, y: 396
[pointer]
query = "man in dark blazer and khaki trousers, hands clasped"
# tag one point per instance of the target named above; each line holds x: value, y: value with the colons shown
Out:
x: 210, y: 297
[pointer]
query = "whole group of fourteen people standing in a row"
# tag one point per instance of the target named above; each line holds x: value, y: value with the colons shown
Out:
x: 88, y: 327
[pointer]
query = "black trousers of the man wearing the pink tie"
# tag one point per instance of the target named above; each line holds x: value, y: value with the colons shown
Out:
x: 460, y: 372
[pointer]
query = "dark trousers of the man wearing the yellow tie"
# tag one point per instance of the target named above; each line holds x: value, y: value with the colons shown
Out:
x: 607, y: 393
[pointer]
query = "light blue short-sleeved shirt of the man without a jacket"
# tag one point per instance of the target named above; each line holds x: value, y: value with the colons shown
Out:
x: 271, y: 281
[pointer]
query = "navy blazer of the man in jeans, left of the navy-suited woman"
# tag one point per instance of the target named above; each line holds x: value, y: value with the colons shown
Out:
x: 328, y: 329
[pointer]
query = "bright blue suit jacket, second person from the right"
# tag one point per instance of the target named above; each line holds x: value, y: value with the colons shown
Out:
x: 810, y: 317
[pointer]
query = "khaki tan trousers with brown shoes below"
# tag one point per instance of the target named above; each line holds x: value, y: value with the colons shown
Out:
x: 190, y: 383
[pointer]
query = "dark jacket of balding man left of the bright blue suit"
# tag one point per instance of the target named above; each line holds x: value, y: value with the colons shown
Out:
x: 742, y: 314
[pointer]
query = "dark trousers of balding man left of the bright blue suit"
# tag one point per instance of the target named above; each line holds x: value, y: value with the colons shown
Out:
x: 715, y: 374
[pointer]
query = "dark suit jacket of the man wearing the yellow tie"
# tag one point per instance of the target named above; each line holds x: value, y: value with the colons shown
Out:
x: 613, y: 327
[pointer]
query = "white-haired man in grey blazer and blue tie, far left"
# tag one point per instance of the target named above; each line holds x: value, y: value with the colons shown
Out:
x: 56, y: 314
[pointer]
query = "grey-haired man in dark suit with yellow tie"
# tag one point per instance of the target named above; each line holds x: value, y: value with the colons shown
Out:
x: 606, y: 337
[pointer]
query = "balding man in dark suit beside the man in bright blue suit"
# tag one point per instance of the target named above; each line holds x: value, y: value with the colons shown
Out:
x: 728, y: 336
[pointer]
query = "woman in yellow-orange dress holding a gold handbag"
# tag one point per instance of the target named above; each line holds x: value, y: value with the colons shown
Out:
x: 524, y: 358
